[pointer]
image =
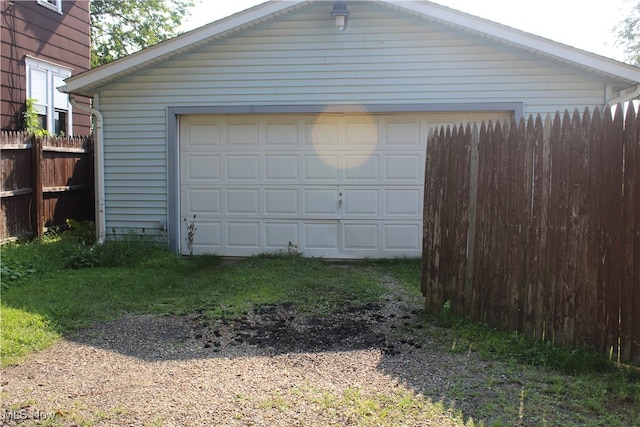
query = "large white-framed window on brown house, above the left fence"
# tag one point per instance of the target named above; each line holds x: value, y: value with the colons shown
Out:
x: 53, y: 107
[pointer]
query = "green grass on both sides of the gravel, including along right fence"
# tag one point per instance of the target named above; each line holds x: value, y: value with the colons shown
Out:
x: 51, y: 288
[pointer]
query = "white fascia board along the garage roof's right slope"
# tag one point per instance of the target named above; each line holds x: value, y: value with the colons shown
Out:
x: 518, y: 39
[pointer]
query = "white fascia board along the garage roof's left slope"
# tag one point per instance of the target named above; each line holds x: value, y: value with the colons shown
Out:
x: 85, y: 83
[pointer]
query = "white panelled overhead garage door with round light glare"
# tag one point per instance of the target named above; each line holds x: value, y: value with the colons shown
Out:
x: 329, y: 185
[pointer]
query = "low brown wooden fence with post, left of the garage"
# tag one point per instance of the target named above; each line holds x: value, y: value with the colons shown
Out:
x: 44, y: 181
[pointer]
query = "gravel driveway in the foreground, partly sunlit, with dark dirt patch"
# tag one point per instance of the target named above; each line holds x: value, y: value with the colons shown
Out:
x: 269, y: 368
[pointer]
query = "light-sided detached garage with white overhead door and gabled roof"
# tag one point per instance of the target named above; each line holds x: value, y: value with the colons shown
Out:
x: 273, y: 130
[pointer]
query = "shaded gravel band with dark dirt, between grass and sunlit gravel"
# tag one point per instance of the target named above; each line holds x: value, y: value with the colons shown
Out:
x: 269, y: 329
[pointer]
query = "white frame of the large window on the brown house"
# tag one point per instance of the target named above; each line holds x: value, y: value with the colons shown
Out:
x: 54, y: 99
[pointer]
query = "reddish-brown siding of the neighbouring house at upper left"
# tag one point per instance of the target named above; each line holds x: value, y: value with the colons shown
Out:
x: 28, y: 28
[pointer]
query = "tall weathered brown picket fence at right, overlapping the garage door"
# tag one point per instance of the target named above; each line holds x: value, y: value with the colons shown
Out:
x: 535, y: 227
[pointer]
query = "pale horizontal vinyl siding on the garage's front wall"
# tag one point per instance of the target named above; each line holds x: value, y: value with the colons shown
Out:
x: 384, y: 57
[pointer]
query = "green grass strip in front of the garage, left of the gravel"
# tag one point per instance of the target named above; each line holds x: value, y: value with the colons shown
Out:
x: 55, y: 287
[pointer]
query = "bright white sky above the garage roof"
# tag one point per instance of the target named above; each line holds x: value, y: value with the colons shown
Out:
x: 585, y: 24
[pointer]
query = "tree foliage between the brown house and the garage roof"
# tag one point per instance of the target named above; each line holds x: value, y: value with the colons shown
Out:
x: 122, y: 27
